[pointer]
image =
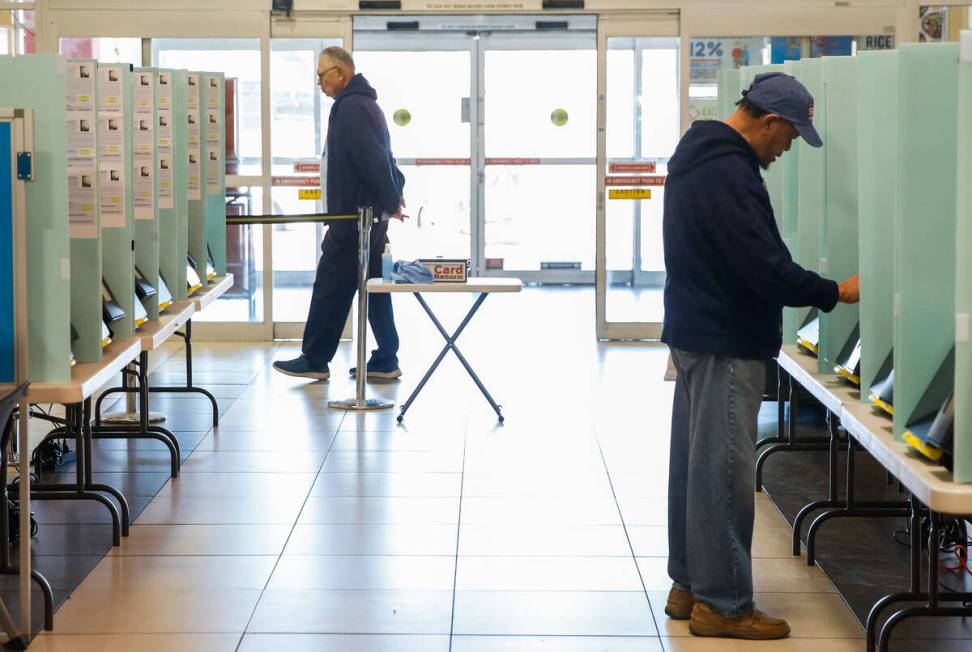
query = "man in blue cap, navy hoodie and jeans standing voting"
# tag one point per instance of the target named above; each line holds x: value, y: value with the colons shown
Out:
x: 729, y: 276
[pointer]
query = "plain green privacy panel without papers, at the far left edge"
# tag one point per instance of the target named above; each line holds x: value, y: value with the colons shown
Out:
x: 38, y: 82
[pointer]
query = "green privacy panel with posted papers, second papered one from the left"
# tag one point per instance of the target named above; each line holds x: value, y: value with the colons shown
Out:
x: 115, y: 177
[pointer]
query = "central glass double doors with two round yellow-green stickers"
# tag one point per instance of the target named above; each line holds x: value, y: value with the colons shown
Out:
x: 492, y: 121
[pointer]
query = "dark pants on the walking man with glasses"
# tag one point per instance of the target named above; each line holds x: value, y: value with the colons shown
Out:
x: 334, y: 289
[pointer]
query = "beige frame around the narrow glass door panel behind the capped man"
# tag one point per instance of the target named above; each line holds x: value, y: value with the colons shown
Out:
x: 665, y: 24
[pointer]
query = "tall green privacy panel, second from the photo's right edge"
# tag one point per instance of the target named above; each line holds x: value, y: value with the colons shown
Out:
x: 925, y: 262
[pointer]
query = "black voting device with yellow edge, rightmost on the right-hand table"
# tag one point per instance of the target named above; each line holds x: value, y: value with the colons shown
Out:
x: 927, y: 430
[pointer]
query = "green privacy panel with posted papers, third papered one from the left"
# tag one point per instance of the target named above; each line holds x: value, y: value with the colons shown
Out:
x: 145, y: 181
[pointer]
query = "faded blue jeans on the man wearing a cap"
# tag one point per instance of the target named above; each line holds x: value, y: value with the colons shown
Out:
x: 711, y: 484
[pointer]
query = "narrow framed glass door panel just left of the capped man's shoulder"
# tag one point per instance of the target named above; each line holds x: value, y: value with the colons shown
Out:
x: 639, y: 126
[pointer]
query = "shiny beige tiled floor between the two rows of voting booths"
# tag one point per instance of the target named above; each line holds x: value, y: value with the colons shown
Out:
x: 295, y: 527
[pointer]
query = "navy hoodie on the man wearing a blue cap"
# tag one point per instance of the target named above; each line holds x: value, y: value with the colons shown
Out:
x: 729, y: 272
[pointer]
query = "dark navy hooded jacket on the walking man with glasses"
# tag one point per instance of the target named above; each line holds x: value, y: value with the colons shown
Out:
x: 361, y: 170
